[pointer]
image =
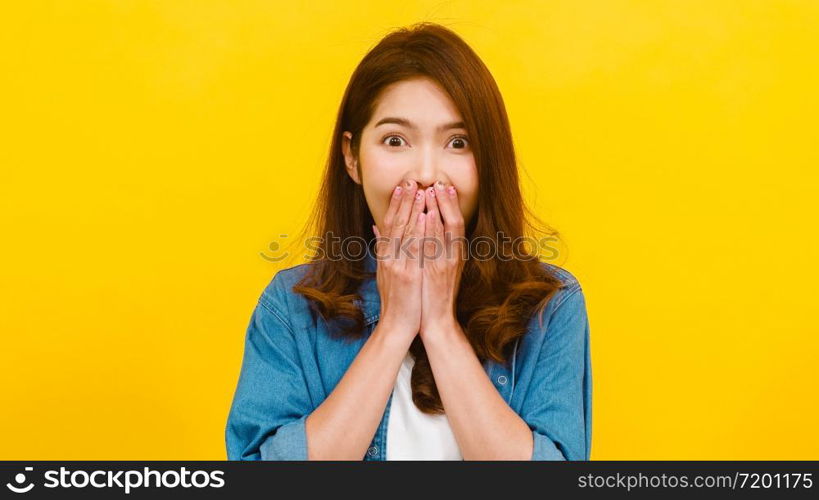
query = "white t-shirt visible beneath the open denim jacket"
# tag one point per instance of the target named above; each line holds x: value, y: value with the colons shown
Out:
x: 412, y: 434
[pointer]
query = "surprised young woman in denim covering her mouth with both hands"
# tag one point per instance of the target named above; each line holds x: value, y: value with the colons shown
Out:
x: 440, y: 339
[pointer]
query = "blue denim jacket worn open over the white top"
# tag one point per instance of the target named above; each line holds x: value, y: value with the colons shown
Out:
x: 291, y: 364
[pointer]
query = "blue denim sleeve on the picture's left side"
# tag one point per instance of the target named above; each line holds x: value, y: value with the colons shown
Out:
x: 271, y: 402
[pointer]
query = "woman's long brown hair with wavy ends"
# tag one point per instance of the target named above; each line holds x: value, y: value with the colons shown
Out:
x: 496, y: 298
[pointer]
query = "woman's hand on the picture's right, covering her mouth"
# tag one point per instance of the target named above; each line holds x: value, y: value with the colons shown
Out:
x: 443, y: 262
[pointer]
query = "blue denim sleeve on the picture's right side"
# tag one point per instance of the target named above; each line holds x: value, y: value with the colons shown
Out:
x: 558, y: 406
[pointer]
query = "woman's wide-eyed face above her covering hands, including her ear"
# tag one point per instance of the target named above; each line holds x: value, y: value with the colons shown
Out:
x: 413, y: 134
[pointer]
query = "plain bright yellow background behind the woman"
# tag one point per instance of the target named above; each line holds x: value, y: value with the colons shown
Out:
x: 151, y: 151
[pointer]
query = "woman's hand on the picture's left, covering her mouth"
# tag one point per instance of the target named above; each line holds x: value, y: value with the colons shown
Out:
x: 398, y: 275
